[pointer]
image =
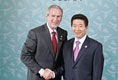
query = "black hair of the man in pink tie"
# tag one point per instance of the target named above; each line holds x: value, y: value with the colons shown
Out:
x: 80, y: 16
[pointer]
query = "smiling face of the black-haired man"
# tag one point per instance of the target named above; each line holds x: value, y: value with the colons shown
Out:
x: 78, y: 28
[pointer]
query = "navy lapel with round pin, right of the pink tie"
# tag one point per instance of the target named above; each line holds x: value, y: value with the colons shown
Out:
x: 83, y: 50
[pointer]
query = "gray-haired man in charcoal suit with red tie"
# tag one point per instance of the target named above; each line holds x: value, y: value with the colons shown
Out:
x: 42, y: 51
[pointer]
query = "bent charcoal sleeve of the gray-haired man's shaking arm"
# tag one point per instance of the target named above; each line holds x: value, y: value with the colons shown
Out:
x: 28, y: 53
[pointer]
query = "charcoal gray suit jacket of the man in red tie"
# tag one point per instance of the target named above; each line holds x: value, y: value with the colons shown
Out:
x: 38, y: 51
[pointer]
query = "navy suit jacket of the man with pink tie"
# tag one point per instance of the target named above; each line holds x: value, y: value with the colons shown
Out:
x: 89, y: 63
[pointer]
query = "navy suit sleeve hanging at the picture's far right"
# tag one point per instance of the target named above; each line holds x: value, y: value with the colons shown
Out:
x: 98, y: 63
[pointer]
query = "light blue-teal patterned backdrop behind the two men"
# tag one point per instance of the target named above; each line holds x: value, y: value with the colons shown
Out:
x: 17, y: 17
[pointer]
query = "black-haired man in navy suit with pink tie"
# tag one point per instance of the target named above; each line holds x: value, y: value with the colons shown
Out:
x: 83, y: 56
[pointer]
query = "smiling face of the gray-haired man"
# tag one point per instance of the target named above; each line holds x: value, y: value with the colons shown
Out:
x: 54, y: 17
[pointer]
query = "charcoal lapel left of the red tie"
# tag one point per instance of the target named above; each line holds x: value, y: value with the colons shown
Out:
x: 47, y: 39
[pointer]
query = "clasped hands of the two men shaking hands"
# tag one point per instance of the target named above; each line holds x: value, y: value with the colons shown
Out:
x: 48, y: 74
